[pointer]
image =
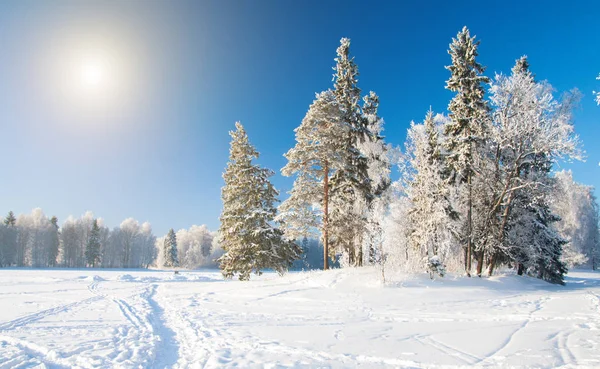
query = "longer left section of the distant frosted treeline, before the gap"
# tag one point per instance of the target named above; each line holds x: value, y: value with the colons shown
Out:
x: 36, y: 240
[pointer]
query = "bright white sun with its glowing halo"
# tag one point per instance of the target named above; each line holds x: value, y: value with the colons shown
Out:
x: 94, y: 81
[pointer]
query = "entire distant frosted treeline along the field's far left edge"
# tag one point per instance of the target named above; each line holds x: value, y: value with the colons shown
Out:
x: 35, y: 240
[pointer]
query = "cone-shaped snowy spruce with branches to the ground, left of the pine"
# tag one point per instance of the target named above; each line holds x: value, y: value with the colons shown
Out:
x: 250, y: 241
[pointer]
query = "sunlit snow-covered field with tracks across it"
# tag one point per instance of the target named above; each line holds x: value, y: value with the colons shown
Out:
x: 338, y: 319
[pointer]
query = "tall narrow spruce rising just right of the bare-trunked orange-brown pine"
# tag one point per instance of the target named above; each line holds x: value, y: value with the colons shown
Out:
x: 350, y: 186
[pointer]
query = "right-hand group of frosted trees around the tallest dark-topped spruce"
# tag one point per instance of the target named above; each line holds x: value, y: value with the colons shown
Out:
x: 477, y: 185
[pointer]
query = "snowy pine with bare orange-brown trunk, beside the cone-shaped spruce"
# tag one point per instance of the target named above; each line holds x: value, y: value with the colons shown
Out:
x: 316, y: 157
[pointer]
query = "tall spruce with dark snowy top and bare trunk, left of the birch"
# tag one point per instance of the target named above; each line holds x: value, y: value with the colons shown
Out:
x: 467, y: 129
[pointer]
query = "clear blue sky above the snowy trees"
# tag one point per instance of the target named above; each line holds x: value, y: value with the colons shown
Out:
x: 153, y: 142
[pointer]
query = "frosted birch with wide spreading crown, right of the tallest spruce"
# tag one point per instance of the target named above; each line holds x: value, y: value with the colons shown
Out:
x: 530, y: 127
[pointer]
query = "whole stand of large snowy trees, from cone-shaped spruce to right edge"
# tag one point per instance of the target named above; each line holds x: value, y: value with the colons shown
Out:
x: 476, y: 190
